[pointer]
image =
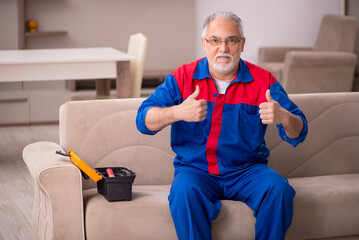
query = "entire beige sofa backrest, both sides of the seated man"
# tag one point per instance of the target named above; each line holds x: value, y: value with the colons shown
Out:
x: 103, y: 133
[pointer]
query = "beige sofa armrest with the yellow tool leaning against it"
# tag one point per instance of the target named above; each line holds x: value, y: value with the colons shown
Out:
x: 58, y: 201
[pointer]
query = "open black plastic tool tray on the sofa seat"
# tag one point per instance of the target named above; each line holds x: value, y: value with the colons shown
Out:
x: 116, y: 188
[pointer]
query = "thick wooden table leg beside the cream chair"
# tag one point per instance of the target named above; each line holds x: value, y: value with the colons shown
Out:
x: 123, y: 81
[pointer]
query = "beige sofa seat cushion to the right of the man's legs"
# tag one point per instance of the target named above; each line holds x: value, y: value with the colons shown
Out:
x: 325, y: 206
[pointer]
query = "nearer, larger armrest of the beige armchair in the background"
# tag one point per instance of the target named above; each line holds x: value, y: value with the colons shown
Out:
x: 311, y: 71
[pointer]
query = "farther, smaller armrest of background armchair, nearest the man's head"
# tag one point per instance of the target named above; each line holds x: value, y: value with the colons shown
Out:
x: 276, y: 54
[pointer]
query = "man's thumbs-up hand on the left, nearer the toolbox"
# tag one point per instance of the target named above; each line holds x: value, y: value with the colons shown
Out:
x: 192, y: 110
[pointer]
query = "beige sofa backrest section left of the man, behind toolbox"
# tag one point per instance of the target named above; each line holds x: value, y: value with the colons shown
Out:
x: 103, y: 134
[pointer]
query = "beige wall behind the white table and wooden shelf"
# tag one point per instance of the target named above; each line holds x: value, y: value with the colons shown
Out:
x: 168, y: 24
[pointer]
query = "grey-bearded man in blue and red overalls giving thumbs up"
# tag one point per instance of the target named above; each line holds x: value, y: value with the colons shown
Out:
x: 219, y: 108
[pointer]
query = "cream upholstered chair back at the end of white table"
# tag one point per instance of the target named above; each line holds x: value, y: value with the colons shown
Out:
x: 137, y: 47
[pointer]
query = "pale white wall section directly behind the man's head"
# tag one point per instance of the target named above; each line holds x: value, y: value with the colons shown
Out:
x: 270, y: 23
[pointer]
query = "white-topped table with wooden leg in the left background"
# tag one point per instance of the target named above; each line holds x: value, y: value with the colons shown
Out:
x: 67, y: 63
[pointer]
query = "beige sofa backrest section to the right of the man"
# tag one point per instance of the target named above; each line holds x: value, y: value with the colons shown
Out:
x: 332, y: 143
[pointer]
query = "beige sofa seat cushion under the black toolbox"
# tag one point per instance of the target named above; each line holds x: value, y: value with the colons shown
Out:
x: 147, y: 216
